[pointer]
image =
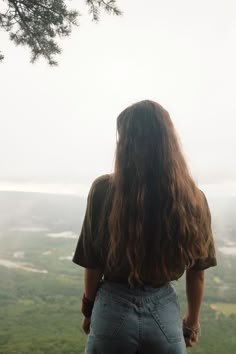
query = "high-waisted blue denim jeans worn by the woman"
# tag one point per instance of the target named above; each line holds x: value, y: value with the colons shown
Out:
x: 129, y: 320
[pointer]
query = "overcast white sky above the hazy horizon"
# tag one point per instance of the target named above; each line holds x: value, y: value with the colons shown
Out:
x: 58, y: 124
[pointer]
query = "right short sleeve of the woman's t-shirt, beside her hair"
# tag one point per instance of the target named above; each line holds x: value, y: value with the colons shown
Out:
x: 210, y: 261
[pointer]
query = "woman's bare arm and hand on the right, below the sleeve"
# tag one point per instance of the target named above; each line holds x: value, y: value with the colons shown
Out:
x: 194, y: 293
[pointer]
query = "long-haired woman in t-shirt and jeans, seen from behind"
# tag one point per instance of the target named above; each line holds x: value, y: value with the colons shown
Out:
x: 144, y: 226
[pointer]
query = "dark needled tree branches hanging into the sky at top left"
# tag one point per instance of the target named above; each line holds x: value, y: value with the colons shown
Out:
x: 39, y: 24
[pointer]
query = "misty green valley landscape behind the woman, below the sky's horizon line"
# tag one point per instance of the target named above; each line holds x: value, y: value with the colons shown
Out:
x: 41, y: 288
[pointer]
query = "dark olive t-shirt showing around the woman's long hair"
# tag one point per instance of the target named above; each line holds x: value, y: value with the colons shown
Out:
x: 88, y: 254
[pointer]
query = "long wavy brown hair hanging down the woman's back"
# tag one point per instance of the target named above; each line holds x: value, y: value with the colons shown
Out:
x: 158, y: 219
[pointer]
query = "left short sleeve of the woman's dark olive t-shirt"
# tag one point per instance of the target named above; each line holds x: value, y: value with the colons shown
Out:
x: 85, y: 253
